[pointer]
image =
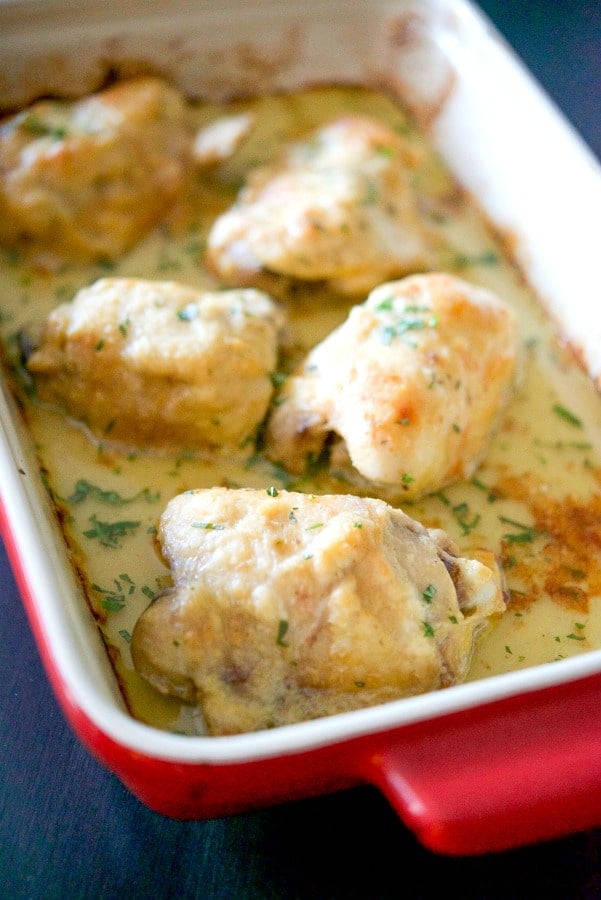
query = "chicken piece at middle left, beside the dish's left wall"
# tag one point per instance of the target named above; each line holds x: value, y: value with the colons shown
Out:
x: 160, y: 364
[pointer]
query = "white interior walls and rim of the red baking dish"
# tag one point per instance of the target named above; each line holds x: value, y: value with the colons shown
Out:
x: 500, y: 135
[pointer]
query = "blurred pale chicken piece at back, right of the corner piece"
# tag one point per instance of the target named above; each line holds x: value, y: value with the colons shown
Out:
x: 337, y: 206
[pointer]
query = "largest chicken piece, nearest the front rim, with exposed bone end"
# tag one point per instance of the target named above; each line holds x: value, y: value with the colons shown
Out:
x: 289, y: 606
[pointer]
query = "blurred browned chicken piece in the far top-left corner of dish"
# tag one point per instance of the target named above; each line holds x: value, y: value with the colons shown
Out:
x: 87, y: 179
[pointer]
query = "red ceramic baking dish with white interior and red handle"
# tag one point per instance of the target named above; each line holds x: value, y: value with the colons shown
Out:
x: 486, y: 765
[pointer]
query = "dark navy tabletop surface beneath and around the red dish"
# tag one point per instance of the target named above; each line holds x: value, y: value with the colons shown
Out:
x: 69, y: 829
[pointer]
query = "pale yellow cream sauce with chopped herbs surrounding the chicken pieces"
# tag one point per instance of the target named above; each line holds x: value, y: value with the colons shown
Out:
x: 536, y: 500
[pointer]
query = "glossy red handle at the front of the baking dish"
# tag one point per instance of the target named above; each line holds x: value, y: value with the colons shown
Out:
x: 492, y: 778
